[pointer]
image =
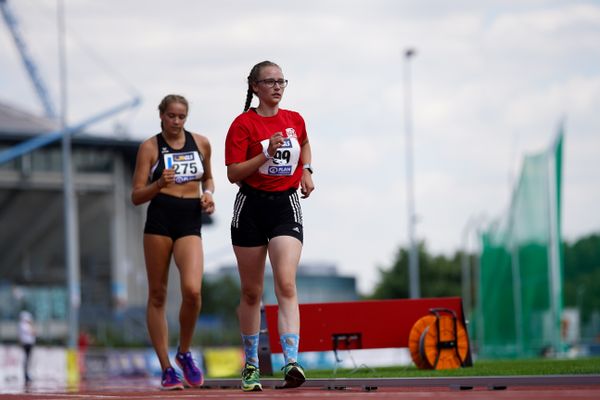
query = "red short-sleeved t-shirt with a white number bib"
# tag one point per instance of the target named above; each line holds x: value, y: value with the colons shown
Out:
x: 243, y: 142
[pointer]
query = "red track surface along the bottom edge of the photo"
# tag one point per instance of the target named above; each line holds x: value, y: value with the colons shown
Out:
x: 147, y: 389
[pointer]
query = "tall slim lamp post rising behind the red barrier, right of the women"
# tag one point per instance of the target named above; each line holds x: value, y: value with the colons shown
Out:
x: 413, y: 255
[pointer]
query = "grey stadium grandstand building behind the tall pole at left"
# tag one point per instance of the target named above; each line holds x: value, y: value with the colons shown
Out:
x: 33, y: 271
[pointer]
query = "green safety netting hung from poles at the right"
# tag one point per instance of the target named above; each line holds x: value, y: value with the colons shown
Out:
x: 520, y: 275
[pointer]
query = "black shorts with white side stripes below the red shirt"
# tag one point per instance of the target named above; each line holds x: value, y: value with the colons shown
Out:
x: 259, y: 216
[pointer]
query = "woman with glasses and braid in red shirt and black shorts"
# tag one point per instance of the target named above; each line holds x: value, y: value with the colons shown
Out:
x: 268, y: 154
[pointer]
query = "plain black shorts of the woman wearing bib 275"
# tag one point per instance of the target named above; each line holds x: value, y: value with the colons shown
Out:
x: 174, y: 217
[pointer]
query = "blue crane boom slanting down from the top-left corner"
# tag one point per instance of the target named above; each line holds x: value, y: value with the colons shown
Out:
x: 38, y: 83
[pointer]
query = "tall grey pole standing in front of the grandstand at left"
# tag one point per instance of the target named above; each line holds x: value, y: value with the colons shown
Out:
x: 69, y: 196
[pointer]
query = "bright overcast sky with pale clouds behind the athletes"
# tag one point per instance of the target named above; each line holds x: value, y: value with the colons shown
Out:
x: 491, y: 82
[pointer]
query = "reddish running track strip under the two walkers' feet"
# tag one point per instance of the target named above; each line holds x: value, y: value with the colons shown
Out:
x: 571, y: 387
